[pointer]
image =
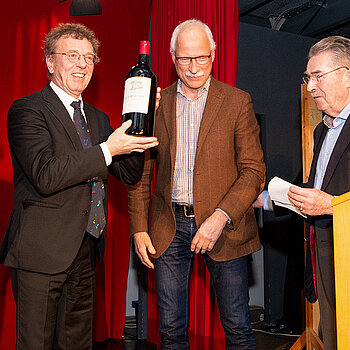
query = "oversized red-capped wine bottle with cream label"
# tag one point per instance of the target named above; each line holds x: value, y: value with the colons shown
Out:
x: 140, y: 95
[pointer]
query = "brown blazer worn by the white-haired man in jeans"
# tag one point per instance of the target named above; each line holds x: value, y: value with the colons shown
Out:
x: 229, y: 172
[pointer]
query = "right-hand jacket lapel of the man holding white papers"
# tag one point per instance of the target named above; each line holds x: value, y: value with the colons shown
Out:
x: 339, y: 148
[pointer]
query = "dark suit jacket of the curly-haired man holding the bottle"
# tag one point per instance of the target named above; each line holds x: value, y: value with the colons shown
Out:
x: 52, y: 178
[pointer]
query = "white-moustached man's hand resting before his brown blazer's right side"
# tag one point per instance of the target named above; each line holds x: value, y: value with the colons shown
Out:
x: 208, y: 233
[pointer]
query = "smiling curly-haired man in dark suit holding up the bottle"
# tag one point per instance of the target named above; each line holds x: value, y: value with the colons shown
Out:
x: 61, y: 156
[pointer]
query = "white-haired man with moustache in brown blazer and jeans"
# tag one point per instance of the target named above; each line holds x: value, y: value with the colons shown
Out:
x: 210, y: 170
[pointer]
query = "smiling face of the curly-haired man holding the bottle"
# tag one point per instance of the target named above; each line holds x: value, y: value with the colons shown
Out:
x: 72, y: 78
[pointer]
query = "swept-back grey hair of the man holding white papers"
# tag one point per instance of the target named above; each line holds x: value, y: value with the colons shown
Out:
x: 339, y: 46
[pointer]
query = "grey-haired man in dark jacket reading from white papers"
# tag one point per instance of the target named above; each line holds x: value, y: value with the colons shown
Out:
x: 328, y: 80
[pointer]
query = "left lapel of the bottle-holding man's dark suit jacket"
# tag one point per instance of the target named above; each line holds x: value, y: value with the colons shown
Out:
x: 58, y: 110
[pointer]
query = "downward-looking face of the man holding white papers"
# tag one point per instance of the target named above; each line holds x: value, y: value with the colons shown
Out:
x: 332, y: 92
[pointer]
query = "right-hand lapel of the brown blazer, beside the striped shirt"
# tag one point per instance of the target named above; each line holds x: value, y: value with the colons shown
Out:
x: 212, y: 106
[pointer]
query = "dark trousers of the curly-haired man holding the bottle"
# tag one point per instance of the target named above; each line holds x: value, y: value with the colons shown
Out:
x: 56, y: 311
